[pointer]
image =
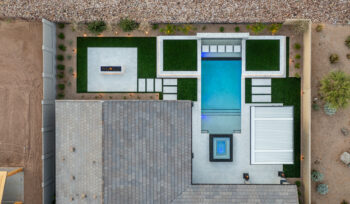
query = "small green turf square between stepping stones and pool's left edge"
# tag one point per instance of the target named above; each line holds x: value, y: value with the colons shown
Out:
x: 187, y: 89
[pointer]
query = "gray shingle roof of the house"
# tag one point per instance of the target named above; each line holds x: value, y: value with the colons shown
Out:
x: 142, y: 154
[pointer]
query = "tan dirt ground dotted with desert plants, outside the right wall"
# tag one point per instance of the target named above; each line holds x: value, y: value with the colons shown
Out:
x: 327, y: 140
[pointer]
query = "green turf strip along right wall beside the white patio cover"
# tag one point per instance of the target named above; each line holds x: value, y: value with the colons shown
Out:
x: 287, y: 91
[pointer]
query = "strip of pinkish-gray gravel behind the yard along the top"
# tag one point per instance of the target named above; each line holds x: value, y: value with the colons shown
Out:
x: 179, y: 11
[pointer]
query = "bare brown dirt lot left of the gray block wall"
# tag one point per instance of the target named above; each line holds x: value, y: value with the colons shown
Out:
x: 20, y: 102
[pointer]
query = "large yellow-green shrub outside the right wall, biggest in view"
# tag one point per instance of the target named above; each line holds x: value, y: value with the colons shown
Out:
x: 335, y: 89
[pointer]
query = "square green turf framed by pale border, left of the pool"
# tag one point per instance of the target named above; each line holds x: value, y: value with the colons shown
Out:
x: 180, y: 55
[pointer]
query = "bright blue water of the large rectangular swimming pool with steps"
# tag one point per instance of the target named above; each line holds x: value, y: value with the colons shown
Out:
x: 221, y: 95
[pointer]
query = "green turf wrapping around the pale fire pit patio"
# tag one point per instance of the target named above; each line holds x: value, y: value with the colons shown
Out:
x: 146, y: 55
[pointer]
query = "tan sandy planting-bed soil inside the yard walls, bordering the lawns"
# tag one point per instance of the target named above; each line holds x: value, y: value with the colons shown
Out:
x: 72, y: 31
